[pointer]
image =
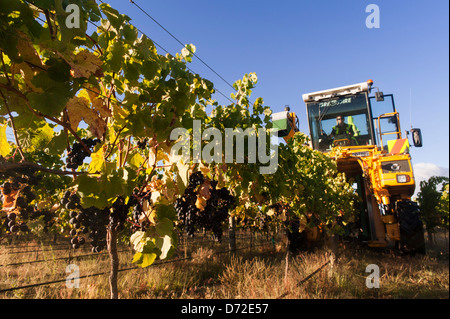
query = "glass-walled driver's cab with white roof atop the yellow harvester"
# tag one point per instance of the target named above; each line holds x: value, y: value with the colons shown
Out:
x: 347, y: 116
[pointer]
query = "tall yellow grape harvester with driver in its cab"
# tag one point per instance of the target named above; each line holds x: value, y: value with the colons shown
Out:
x: 362, y: 133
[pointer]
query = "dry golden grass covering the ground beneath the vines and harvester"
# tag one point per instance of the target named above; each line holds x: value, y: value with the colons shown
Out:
x: 259, y: 272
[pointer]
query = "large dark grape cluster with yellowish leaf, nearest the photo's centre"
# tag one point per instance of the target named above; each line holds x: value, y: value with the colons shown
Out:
x: 213, y: 214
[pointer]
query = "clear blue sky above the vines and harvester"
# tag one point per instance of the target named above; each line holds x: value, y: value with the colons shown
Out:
x: 297, y: 47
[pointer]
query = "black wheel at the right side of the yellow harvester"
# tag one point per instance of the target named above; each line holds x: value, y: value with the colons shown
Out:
x: 412, y: 238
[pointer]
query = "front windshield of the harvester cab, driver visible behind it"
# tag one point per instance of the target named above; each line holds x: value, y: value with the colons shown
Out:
x: 340, y: 121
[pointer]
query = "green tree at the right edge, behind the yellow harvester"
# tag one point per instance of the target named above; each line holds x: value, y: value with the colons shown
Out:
x: 432, y: 203
